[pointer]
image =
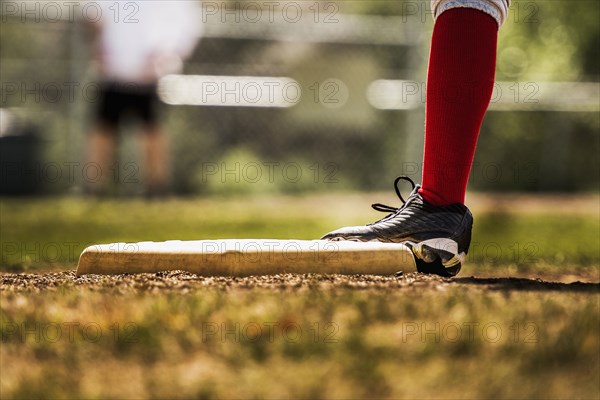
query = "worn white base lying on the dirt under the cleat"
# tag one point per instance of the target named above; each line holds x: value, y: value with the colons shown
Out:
x: 245, y: 257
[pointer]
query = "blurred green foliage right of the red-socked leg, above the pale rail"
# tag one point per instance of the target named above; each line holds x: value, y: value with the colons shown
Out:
x: 550, y: 41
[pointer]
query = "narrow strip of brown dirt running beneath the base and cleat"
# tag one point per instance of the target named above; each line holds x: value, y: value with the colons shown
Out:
x: 180, y: 281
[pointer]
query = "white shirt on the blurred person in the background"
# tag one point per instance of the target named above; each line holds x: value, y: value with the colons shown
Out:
x: 140, y: 41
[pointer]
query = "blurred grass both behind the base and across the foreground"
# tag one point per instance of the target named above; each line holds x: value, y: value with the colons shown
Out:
x: 431, y: 339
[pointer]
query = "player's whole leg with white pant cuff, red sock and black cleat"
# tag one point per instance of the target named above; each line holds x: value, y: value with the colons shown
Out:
x: 433, y: 219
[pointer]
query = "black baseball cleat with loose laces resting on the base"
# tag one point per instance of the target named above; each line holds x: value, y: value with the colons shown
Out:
x: 439, y: 236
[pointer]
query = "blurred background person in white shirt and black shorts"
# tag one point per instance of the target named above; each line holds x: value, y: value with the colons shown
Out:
x: 136, y: 43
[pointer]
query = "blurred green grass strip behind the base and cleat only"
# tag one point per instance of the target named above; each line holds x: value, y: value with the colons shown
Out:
x: 550, y: 236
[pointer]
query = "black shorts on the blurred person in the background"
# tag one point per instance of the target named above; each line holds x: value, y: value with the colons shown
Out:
x: 119, y: 101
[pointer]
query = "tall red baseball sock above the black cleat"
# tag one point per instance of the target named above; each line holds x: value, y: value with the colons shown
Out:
x: 460, y: 80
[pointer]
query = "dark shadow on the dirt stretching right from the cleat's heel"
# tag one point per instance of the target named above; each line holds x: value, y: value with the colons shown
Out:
x: 529, y: 284
